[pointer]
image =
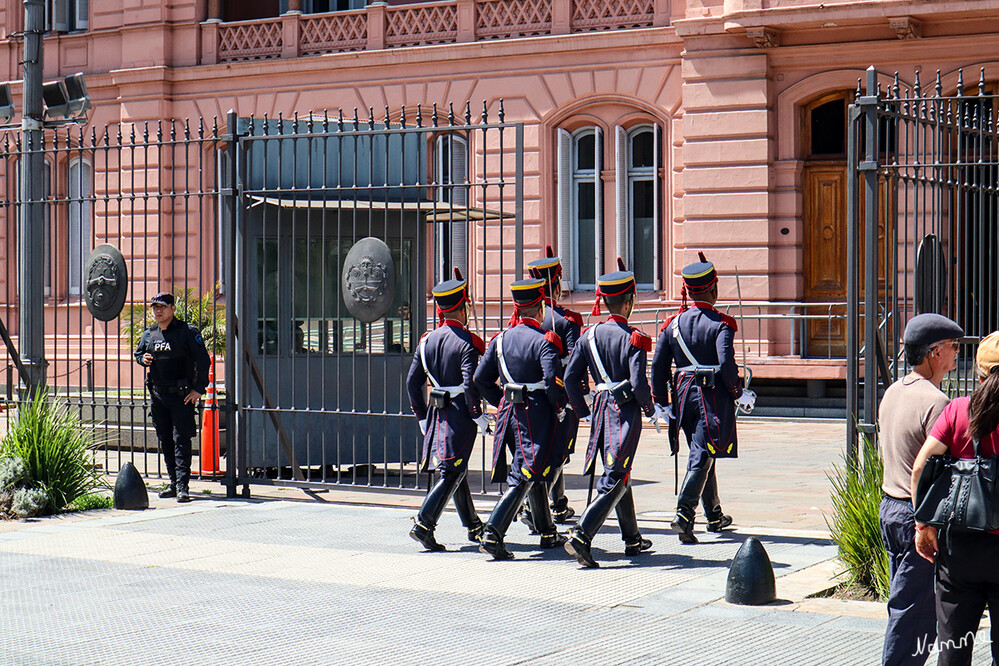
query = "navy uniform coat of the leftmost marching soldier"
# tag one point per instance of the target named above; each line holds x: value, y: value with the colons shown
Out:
x: 453, y: 353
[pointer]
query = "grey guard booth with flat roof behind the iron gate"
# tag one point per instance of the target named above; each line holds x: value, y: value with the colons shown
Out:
x: 340, y: 228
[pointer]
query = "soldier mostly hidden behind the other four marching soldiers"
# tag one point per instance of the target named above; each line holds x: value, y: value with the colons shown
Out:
x: 567, y: 324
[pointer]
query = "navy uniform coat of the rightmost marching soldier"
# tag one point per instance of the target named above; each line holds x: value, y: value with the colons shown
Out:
x: 706, y: 415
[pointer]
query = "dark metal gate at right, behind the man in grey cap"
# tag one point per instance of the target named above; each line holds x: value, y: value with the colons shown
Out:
x: 923, y: 227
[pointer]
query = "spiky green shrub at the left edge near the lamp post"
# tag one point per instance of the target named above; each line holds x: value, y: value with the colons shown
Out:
x: 54, y: 448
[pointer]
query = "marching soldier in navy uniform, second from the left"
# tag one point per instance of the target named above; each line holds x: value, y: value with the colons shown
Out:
x: 524, y: 359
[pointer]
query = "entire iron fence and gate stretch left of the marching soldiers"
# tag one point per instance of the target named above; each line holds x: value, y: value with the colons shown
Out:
x: 251, y: 223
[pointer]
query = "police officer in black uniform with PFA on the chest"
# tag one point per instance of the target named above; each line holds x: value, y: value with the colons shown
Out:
x: 175, y: 354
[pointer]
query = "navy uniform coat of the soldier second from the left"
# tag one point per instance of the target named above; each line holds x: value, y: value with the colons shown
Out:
x: 528, y: 429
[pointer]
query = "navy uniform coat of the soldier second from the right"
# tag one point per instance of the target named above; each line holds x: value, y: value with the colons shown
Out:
x: 614, y: 430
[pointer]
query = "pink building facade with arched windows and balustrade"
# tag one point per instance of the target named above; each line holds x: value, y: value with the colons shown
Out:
x: 653, y: 128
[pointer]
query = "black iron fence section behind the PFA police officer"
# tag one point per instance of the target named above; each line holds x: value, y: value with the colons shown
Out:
x: 151, y: 191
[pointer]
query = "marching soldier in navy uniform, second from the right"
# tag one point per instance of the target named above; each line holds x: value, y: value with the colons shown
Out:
x: 615, y: 354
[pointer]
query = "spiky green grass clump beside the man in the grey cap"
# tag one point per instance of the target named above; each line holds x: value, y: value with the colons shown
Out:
x: 855, y: 526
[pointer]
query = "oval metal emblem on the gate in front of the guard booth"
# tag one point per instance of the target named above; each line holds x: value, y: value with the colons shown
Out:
x: 368, y: 280
